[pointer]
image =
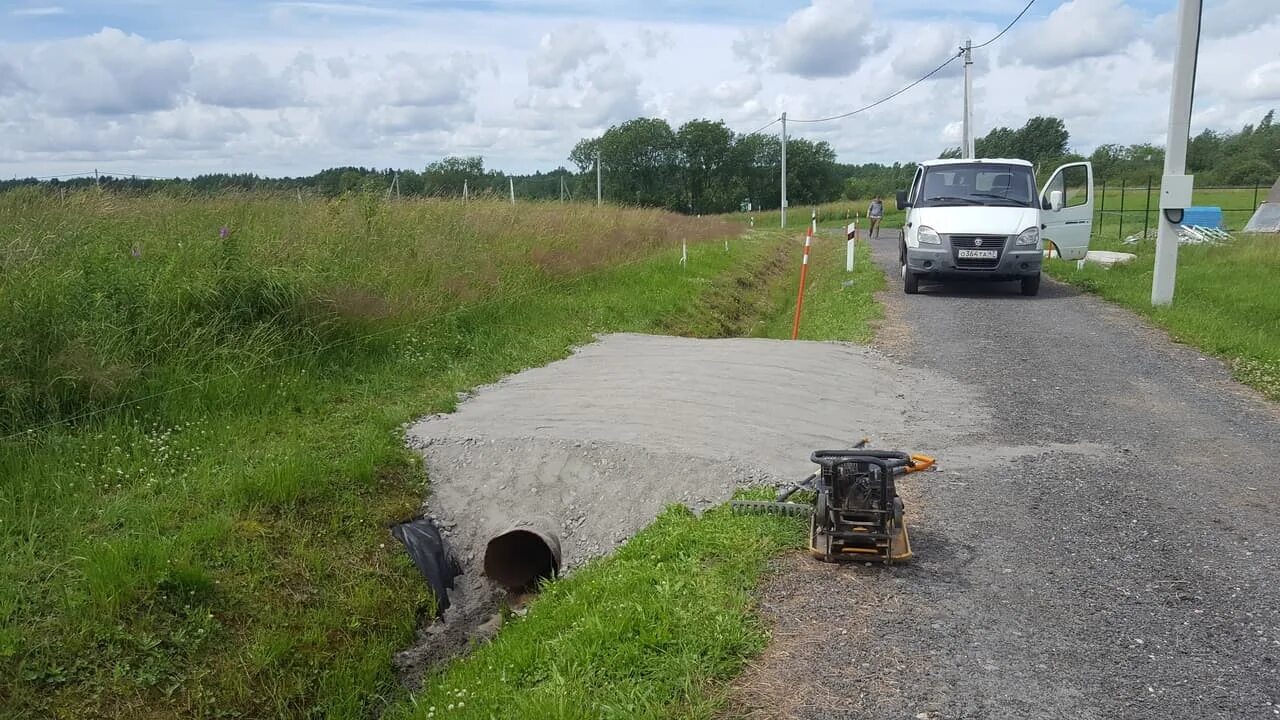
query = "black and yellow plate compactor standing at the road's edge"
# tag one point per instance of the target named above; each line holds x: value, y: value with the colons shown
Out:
x: 856, y: 511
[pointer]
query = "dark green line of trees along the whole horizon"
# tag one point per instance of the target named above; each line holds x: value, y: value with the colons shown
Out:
x: 705, y: 167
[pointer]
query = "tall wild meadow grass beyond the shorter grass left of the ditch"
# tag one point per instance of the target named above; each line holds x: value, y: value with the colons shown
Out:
x: 111, y: 298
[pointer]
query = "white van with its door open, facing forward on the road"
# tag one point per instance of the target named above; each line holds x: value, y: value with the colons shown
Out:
x: 982, y: 220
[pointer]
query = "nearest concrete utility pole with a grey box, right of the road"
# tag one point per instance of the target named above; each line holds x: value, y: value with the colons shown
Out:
x: 1176, y: 188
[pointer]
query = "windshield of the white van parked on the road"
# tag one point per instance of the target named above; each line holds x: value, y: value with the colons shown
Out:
x: 979, y: 184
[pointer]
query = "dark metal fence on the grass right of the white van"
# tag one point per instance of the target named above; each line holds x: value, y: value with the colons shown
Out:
x: 1136, y: 206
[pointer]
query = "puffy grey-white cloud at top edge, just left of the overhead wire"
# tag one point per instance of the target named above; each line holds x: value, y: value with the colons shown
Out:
x: 828, y: 39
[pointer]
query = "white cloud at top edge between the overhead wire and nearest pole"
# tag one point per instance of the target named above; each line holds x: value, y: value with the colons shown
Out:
x: 1075, y: 31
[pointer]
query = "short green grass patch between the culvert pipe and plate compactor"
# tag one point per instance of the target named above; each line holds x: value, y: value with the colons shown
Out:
x: 652, y: 631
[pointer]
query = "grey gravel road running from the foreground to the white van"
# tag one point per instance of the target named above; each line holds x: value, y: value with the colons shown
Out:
x: 1124, y: 563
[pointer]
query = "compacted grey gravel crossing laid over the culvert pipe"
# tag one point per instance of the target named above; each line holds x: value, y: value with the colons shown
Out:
x: 595, y: 446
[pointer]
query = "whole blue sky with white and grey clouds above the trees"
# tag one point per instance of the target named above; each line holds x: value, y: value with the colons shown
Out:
x: 291, y: 88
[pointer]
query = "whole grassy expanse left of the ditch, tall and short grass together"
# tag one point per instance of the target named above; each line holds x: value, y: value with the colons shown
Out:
x: 213, y: 543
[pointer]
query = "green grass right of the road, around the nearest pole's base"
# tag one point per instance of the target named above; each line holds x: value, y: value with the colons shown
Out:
x: 1226, y: 300
